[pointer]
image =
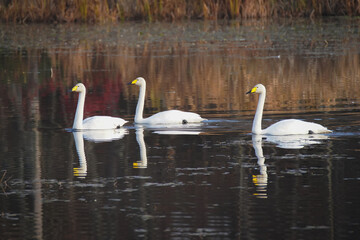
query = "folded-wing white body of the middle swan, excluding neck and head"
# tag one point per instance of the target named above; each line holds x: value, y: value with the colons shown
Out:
x: 174, y: 117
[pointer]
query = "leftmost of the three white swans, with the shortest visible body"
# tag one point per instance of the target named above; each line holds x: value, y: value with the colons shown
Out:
x: 95, y: 122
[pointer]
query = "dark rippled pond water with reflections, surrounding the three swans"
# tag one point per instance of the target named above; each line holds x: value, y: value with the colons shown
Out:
x: 213, y: 180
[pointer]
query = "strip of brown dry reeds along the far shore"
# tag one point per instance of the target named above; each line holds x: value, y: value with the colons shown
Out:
x: 102, y: 11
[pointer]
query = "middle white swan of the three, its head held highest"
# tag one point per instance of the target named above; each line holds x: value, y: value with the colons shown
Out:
x: 166, y: 117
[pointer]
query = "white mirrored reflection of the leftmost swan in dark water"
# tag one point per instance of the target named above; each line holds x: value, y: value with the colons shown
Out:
x: 92, y: 136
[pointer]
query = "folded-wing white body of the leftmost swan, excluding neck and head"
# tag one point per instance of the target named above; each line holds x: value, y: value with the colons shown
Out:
x: 103, y: 122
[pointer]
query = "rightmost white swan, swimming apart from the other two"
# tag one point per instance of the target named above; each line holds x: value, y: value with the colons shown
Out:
x: 284, y: 127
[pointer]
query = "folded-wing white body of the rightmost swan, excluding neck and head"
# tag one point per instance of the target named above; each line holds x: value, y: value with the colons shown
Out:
x: 295, y: 126
